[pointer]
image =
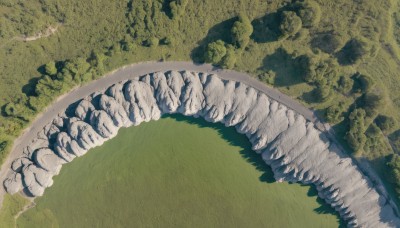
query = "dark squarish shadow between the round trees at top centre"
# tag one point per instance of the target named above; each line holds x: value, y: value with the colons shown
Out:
x: 266, y: 28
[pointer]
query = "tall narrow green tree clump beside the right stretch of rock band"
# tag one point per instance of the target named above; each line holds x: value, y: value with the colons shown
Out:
x: 356, y: 135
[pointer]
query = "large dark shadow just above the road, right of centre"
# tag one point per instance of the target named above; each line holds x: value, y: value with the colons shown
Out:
x: 286, y: 67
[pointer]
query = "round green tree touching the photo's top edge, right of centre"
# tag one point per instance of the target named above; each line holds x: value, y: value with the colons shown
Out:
x: 309, y: 12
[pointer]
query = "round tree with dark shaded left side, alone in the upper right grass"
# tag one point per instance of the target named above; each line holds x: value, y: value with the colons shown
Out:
x: 355, y: 50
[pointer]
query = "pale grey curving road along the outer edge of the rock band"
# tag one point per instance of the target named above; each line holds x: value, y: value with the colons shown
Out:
x: 135, y: 70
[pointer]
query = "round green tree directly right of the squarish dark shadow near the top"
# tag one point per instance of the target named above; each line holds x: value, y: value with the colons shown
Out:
x: 290, y: 24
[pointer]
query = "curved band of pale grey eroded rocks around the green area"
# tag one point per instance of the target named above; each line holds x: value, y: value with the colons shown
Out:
x: 291, y: 145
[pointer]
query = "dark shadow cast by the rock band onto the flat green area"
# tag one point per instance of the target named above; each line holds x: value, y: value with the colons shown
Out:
x: 235, y: 139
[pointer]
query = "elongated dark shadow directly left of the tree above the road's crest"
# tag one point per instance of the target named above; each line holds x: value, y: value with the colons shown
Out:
x: 220, y: 31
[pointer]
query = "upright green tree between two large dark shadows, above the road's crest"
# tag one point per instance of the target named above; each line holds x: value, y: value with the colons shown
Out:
x: 241, y: 31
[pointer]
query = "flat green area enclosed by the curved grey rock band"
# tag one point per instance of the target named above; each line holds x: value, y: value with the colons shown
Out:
x: 175, y: 172
